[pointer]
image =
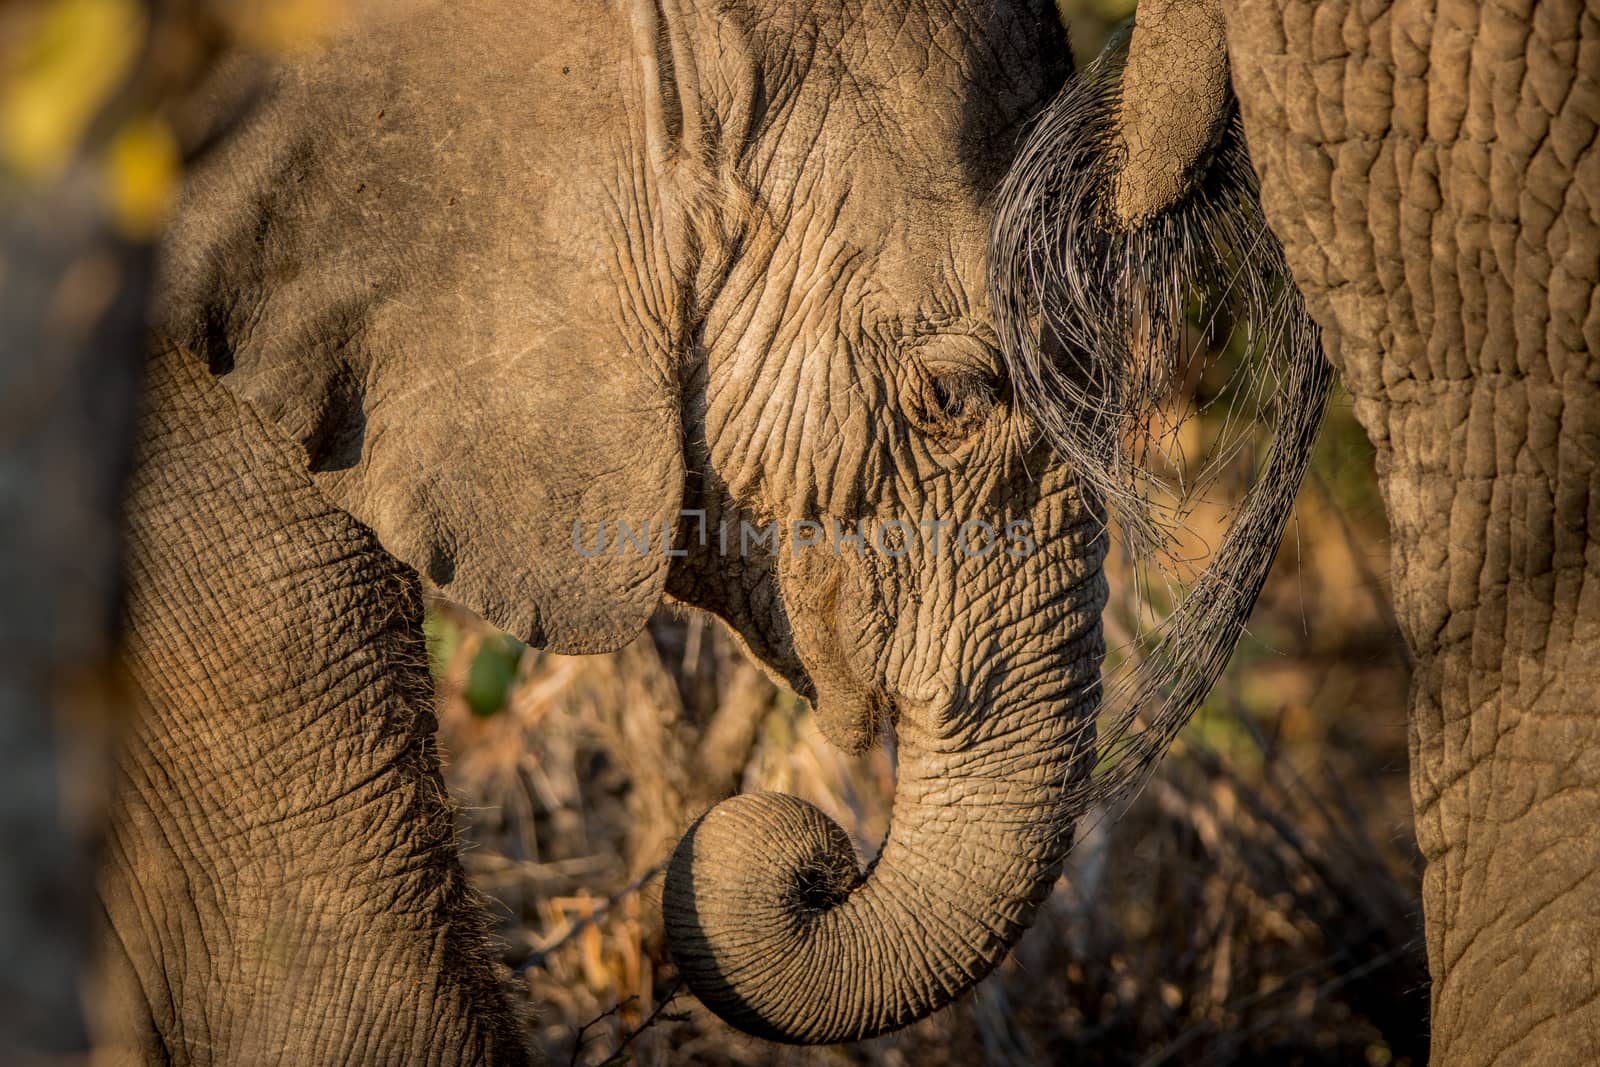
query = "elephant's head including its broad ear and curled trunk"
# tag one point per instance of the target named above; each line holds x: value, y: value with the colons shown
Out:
x: 716, y: 278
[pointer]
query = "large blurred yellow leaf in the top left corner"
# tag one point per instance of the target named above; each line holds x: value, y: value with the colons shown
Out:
x: 71, y: 57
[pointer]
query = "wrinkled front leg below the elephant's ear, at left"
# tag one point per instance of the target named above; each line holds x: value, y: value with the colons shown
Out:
x: 281, y: 877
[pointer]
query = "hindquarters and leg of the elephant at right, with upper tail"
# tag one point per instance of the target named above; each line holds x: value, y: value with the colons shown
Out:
x: 1434, y: 180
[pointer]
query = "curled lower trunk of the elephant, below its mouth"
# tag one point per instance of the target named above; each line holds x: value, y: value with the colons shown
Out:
x: 774, y: 927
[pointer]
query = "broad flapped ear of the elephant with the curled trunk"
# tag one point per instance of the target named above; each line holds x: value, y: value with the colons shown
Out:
x: 439, y: 262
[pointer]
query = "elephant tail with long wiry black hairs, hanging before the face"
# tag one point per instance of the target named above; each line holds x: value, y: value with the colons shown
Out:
x: 1102, y: 252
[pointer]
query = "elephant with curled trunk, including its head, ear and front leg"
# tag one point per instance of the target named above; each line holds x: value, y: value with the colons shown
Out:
x: 482, y: 273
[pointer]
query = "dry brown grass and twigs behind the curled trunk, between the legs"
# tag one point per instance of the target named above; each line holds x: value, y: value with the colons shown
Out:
x: 1257, y: 903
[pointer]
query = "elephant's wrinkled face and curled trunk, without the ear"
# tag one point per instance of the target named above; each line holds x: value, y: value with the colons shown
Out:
x: 850, y: 394
